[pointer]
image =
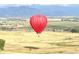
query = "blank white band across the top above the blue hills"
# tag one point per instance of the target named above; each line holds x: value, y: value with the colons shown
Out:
x: 39, y: 1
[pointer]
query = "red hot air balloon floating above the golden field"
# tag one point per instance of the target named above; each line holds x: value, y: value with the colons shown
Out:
x: 38, y: 23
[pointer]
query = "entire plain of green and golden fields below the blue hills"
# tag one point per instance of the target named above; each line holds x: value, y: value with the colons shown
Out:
x: 22, y: 38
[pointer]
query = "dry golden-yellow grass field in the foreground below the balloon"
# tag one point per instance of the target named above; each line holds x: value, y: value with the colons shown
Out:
x: 48, y: 42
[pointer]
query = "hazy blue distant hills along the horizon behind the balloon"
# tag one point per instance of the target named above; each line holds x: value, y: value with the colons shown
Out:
x: 48, y: 10
